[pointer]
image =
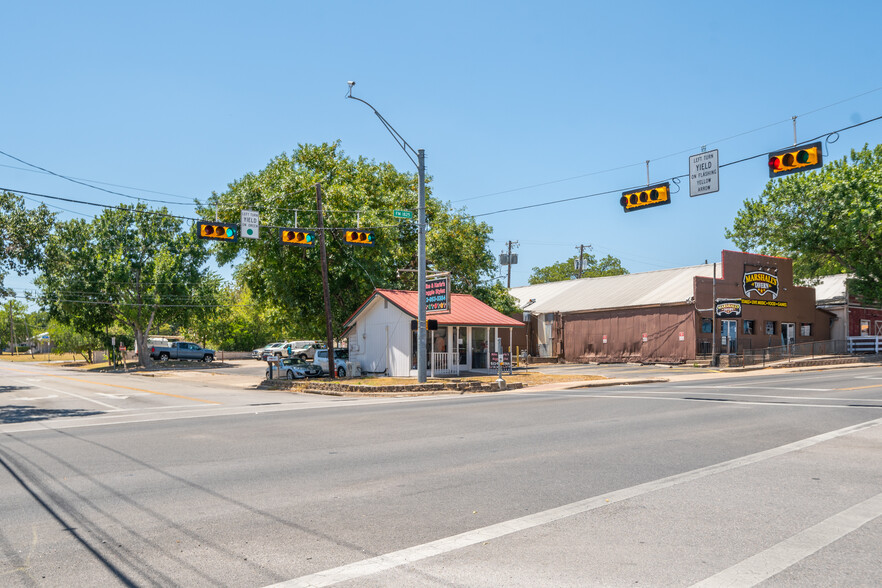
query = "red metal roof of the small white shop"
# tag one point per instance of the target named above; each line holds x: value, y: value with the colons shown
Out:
x: 465, y: 310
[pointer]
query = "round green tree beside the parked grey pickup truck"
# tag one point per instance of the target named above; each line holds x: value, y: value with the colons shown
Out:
x: 131, y: 265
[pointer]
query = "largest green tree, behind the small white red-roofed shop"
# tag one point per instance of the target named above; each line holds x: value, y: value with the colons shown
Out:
x: 286, y: 279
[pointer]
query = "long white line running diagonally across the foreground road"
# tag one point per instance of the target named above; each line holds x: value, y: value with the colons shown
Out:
x: 409, y: 555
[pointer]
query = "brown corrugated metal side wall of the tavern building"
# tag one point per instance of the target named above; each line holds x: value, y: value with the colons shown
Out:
x: 663, y: 325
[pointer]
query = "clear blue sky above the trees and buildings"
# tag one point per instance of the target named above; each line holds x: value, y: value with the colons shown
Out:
x: 515, y: 103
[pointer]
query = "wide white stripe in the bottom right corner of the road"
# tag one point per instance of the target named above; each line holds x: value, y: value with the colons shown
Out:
x: 778, y: 558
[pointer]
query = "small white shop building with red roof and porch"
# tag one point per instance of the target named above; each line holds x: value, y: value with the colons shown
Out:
x: 382, y: 340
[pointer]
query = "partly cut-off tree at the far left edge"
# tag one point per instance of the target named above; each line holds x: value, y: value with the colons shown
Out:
x: 23, y: 232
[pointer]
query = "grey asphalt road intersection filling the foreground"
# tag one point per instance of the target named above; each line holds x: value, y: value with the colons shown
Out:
x: 117, y: 480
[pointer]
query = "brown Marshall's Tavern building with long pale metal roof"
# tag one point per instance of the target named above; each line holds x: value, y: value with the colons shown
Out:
x: 747, y: 301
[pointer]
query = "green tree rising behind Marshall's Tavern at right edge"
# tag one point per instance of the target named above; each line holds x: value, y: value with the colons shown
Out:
x: 828, y: 221
